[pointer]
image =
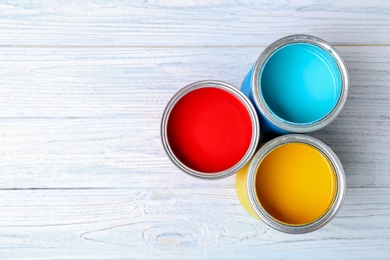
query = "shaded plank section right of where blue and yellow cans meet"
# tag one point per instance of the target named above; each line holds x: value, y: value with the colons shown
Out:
x: 362, y: 146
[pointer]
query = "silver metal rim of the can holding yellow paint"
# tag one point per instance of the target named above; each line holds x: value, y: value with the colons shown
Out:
x: 251, y: 179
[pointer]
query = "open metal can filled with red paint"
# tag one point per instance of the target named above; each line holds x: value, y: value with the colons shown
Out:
x: 210, y: 129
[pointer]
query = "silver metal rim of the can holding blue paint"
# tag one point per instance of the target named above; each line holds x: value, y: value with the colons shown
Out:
x: 289, y: 126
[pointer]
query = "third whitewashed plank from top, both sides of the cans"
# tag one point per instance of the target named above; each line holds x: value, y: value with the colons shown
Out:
x: 127, y: 152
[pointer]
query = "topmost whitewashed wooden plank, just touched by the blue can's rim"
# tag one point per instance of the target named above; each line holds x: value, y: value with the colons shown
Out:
x: 182, y: 23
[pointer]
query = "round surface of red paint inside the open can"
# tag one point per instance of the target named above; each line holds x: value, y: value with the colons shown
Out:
x: 209, y: 130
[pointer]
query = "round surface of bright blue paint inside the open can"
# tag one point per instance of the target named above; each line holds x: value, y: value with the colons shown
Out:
x: 300, y: 83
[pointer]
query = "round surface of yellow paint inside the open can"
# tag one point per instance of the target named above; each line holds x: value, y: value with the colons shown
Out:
x: 295, y: 183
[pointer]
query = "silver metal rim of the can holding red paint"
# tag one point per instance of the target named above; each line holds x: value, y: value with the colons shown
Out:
x: 240, y: 96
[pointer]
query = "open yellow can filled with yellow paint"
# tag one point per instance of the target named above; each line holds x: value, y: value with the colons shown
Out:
x: 294, y: 183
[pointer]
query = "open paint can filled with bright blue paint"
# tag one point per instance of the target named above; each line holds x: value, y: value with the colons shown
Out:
x: 299, y: 84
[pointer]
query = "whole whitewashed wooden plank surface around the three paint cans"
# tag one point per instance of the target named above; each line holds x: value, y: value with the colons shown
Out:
x: 82, y: 88
